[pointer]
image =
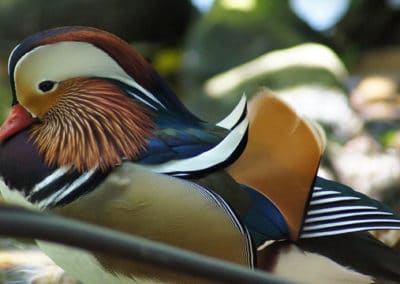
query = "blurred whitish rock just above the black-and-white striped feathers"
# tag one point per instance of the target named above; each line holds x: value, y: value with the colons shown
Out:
x: 365, y: 166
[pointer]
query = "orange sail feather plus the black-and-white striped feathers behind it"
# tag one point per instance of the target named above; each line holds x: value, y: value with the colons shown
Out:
x: 273, y: 162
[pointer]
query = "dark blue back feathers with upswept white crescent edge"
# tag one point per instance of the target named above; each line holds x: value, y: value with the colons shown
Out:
x: 180, y: 139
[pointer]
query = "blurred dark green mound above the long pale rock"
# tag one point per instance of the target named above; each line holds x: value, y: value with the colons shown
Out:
x: 227, y: 36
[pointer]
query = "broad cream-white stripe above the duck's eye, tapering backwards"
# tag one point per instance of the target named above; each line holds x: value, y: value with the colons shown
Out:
x: 70, y: 59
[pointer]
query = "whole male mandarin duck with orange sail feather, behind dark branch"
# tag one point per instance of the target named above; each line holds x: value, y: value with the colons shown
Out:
x: 95, y: 134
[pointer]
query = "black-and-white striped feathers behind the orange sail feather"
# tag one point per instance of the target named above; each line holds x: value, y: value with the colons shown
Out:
x: 332, y: 212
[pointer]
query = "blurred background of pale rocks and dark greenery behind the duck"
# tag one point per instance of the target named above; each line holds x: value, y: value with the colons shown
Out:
x: 335, y: 61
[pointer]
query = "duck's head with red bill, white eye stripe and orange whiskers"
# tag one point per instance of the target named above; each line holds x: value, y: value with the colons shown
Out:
x: 87, y: 96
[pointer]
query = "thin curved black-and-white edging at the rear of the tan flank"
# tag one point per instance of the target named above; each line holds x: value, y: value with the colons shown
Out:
x: 210, y: 195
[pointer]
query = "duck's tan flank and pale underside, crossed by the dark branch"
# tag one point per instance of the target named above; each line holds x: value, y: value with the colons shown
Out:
x: 194, y: 222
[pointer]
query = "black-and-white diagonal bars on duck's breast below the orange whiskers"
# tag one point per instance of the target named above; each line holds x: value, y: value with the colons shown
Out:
x: 63, y: 186
